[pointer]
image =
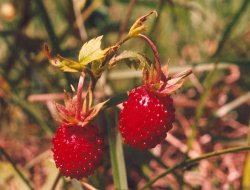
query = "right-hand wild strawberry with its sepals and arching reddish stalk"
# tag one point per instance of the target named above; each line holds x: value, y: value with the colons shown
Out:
x: 148, y: 113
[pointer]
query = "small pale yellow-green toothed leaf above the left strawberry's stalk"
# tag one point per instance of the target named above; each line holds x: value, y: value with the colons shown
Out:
x: 91, y: 51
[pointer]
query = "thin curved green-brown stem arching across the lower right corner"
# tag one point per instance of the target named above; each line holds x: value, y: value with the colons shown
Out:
x: 194, y: 160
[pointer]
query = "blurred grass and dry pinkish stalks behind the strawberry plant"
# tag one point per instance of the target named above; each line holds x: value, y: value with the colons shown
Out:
x: 212, y: 109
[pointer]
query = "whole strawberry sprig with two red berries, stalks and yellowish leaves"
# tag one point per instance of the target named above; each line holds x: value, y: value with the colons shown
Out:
x: 147, y: 116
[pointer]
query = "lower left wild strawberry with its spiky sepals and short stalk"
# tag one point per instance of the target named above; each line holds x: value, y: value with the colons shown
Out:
x: 77, y: 145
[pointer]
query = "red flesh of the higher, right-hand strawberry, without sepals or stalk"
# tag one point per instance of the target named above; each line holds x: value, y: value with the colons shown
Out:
x: 146, y: 118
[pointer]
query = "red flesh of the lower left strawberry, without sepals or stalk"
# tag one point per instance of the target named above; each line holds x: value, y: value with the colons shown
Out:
x: 77, y: 150
